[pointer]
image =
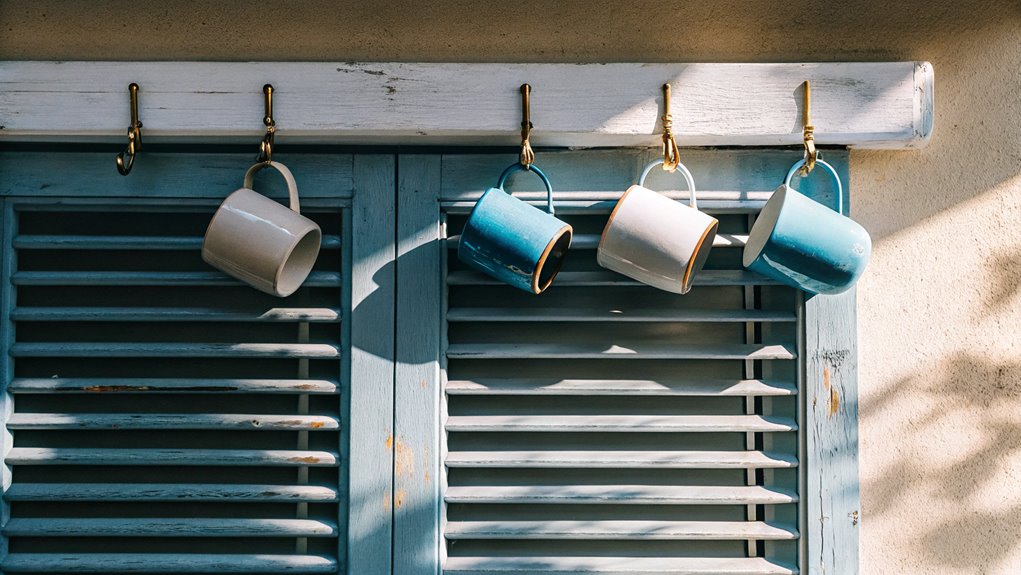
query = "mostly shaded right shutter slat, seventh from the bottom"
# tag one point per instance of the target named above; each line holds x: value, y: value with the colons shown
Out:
x: 618, y: 350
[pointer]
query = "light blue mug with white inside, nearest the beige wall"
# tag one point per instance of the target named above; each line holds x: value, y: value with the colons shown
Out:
x: 802, y: 244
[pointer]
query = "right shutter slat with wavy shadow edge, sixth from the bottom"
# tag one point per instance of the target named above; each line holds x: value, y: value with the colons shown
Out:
x: 619, y: 388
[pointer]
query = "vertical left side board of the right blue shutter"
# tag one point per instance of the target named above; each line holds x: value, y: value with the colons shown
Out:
x: 417, y: 430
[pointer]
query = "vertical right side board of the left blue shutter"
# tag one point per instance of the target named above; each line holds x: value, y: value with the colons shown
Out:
x: 371, y: 402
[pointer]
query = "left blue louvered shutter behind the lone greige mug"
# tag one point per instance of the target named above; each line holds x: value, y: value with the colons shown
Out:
x: 164, y: 417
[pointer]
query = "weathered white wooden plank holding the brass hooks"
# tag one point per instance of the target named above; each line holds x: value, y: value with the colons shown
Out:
x: 472, y: 104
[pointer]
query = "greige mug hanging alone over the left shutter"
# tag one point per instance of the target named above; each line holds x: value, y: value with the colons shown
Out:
x: 262, y: 243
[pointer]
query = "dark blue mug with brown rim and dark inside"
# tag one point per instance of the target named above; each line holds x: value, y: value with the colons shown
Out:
x: 513, y: 242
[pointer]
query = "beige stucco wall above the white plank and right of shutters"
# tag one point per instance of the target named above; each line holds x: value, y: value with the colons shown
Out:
x: 941, y: 306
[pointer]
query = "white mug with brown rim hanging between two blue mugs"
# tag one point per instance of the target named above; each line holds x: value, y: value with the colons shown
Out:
x: 657, y: 241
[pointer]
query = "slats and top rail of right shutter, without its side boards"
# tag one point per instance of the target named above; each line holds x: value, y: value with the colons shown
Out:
x: 609, y: 427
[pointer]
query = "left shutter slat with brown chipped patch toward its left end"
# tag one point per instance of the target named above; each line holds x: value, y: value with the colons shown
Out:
x: 153, y: 386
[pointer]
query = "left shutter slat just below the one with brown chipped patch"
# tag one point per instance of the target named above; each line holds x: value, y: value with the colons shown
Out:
x: 171, y: 421
